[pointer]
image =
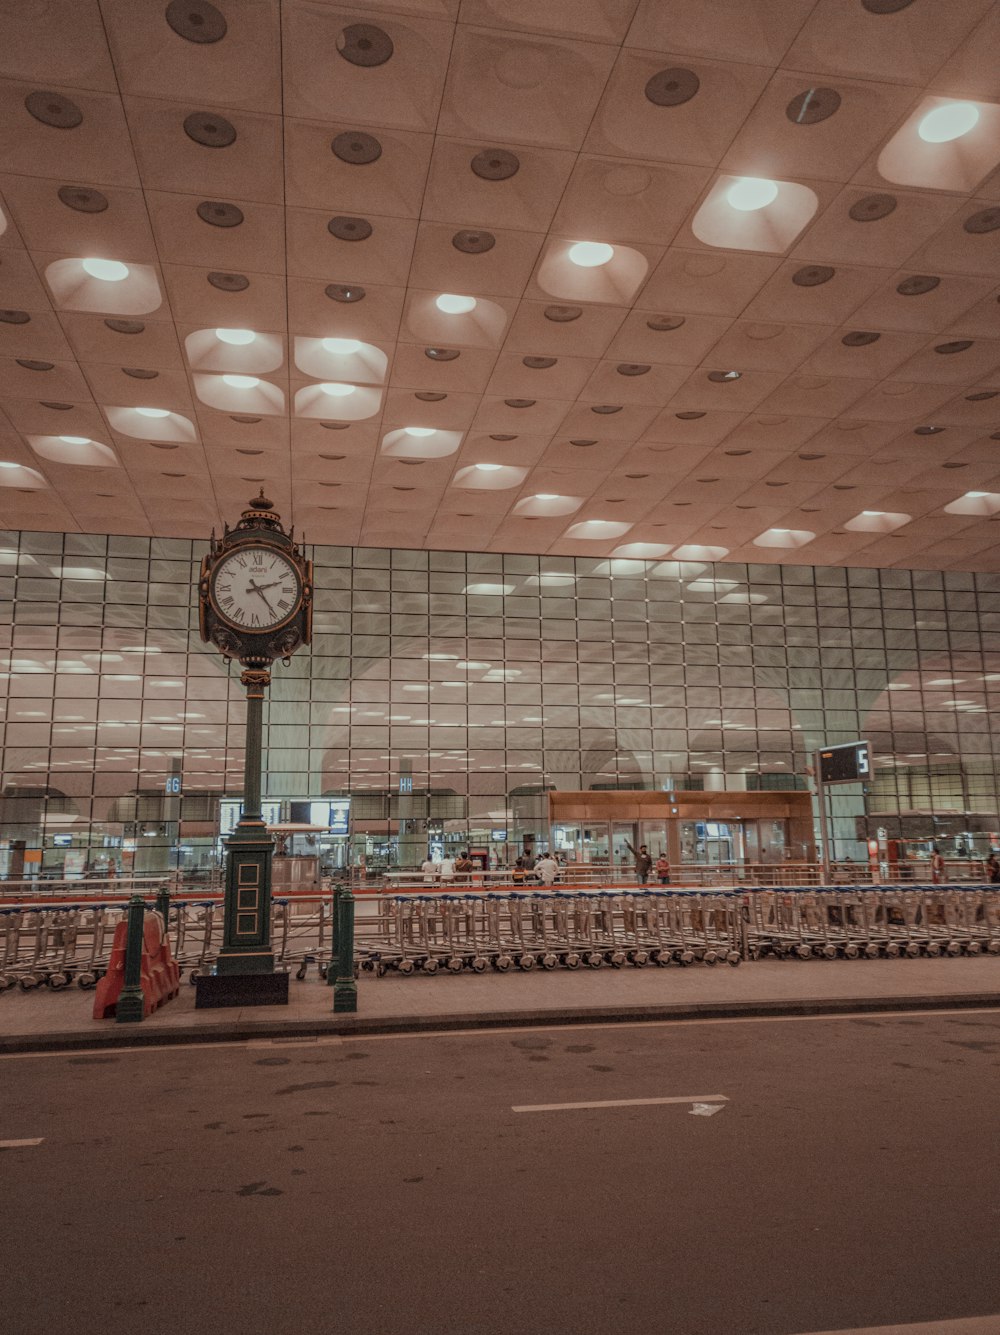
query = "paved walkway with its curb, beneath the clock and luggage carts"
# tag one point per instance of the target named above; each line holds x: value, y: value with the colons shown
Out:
x: 39, y: 1021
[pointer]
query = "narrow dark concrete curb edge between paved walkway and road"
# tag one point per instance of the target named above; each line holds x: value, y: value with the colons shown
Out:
x: 360, y: 1026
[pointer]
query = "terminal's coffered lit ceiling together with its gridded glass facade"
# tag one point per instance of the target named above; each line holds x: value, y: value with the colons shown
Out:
x: 631, y: 373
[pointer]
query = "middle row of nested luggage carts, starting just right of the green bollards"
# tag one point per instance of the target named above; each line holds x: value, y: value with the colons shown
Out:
x: 548, y: 931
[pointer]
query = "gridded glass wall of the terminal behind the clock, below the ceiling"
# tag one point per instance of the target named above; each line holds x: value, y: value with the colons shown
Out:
x: 448, y: 692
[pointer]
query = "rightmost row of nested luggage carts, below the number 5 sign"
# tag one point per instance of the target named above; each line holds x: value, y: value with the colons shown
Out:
x: 881, y: 922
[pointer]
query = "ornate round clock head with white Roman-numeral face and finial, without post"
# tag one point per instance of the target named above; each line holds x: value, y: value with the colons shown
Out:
x: 256, y: 591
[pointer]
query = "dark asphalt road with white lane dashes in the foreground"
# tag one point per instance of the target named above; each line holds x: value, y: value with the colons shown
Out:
x: 850, y: 1179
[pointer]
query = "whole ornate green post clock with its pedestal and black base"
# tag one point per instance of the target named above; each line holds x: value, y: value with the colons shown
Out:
x: 256, y: 605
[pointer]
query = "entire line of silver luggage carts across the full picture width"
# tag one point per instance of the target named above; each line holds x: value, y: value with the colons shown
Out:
x: 54, y: 946
